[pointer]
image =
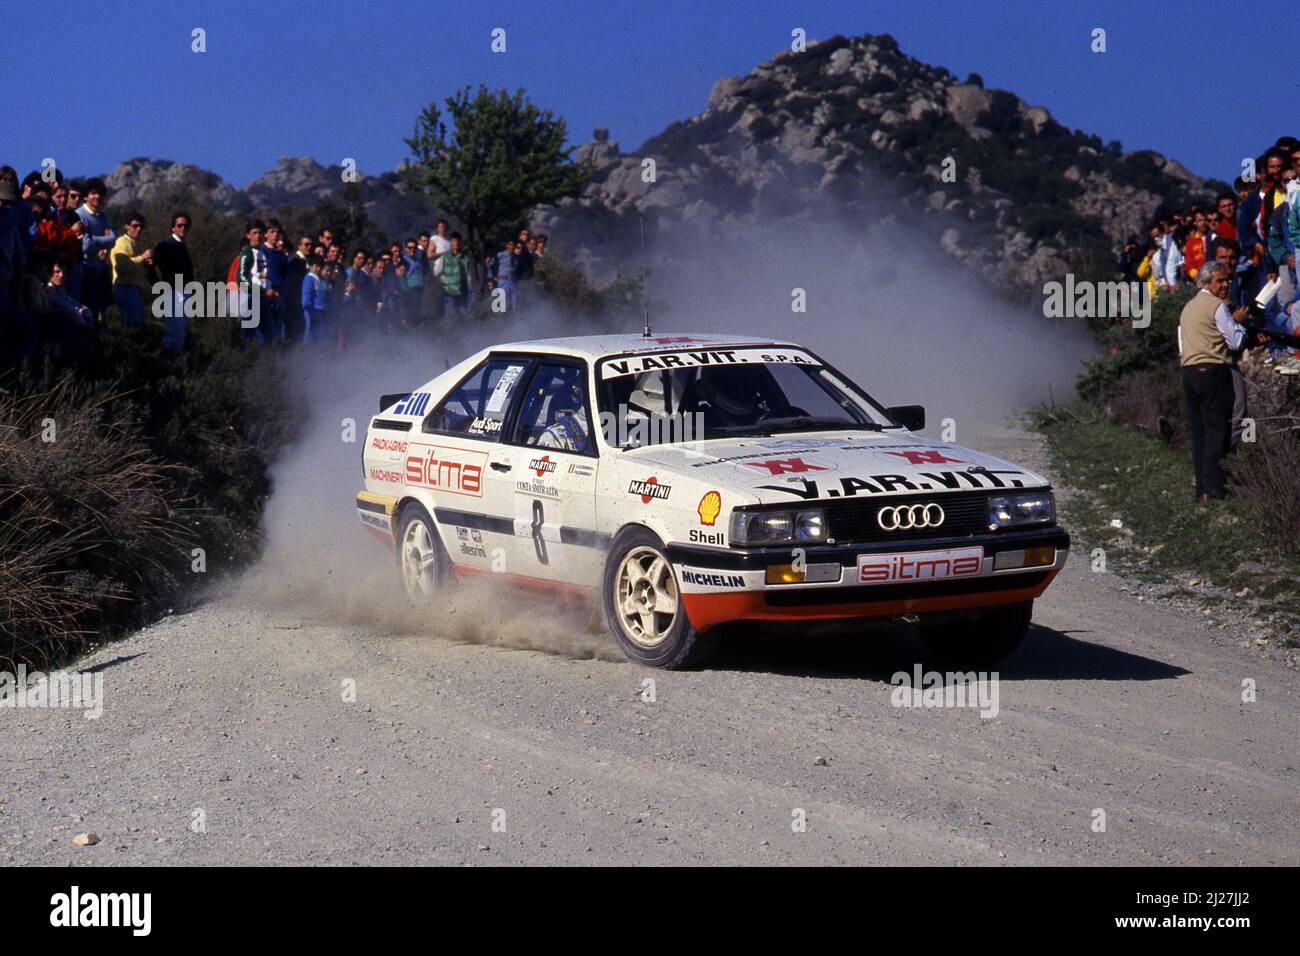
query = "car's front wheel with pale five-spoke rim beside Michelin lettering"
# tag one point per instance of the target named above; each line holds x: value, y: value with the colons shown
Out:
x: 643, y: 605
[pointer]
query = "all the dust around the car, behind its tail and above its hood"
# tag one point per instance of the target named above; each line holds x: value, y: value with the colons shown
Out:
x: 883, y: 305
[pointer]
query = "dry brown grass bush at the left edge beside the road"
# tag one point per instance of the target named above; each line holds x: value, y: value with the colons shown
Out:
x: 93, y: 533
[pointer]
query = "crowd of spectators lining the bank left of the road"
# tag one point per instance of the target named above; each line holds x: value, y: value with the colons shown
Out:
x: 63, y: 267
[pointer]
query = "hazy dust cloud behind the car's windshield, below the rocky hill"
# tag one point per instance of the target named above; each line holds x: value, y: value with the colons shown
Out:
x: 886, y: 306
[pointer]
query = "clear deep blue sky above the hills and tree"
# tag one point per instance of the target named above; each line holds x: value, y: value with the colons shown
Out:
x: 333, y: 80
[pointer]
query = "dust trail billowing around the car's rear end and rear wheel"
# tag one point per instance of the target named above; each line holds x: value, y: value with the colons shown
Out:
x: 318, y: 569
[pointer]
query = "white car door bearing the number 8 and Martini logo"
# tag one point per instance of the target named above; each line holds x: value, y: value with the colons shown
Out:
x: 554, y: 494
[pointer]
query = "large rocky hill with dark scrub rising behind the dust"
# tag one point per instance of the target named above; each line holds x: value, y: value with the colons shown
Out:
x: 856, y: 131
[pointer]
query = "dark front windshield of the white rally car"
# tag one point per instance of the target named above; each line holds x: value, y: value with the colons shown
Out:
x: 645, y: 404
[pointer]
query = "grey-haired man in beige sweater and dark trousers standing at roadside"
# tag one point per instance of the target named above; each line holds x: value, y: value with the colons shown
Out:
x: 1207, y: 336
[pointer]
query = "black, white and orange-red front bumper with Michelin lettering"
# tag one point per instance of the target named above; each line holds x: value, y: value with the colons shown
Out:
x: 721, y: 586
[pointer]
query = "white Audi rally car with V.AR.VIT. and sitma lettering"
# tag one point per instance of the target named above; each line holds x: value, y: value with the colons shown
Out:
x: 690, y: 483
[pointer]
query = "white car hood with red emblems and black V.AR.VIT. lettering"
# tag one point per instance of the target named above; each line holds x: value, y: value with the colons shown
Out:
x: 794, y: 469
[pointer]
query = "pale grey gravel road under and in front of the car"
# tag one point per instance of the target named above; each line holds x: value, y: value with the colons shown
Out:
x: 227, y: 739
